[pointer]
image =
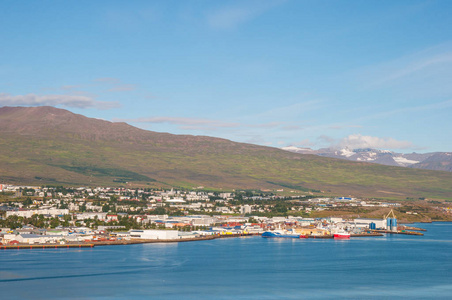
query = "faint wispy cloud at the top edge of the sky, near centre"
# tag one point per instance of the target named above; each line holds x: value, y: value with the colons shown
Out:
x: 230, y: 17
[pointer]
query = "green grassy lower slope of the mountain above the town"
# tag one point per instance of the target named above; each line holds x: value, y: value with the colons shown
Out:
x: 217, y: 164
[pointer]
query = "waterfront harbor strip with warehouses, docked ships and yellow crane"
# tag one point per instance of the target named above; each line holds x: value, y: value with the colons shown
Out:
x: 234, y: 227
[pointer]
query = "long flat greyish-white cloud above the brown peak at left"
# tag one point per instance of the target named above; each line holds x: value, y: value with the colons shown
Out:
x: 75, y: 101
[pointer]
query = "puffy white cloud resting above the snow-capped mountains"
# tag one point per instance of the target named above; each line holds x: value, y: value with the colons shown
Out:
x: 355, y: 141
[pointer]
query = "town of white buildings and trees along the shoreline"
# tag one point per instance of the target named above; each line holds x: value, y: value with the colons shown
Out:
x: 61, y: 215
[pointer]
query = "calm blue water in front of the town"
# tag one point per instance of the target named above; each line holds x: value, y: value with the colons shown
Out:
x: 238, y: 268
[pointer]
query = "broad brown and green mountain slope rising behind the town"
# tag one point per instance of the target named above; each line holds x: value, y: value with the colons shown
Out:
x: 46, y: 145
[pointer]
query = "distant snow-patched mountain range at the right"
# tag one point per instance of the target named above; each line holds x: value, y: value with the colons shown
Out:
x: 439, y: 161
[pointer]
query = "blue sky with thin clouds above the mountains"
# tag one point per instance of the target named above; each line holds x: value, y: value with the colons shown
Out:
x: 356, y: 74
